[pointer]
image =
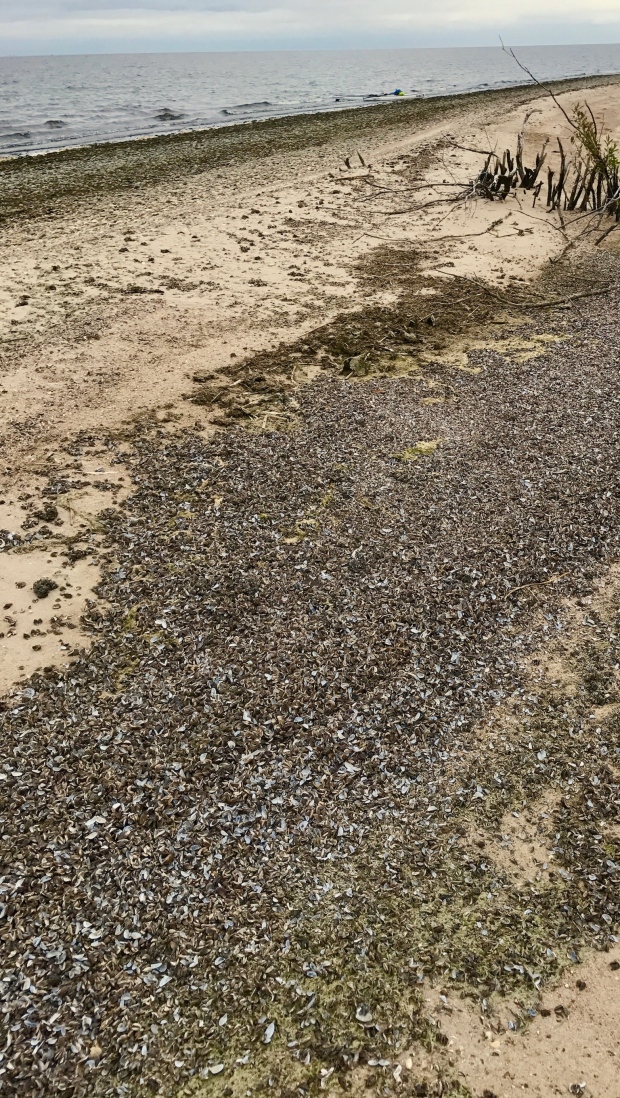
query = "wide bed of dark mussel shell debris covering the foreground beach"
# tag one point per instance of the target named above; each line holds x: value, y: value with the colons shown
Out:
x: 239, y: 833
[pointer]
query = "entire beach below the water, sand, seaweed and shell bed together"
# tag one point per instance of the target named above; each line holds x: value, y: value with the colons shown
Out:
x: 309, y: 654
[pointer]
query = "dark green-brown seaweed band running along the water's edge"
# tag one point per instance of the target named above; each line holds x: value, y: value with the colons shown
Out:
x: 30, y: 183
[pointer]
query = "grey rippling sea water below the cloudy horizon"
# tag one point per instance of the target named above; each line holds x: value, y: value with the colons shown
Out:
x: 53, y: 103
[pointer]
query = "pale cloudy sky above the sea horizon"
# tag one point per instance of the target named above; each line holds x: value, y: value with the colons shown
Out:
x: 66, y: 27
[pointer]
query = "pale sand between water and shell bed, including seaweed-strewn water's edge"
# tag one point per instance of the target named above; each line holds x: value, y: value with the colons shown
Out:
x: 111, y: 300
